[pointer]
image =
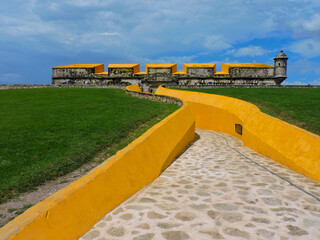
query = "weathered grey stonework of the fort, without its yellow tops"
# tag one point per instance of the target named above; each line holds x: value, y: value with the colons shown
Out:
x: 195, y: 76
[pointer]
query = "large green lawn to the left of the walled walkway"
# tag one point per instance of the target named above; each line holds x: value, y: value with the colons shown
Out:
x: 46, y: 133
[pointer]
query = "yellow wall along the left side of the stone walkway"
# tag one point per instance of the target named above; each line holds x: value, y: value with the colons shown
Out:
x: 72, y: 211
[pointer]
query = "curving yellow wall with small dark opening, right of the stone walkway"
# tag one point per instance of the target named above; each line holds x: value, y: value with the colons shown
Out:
x: 291, y: 146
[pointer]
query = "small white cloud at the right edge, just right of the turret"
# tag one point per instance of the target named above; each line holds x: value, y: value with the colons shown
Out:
x: 308, y: 48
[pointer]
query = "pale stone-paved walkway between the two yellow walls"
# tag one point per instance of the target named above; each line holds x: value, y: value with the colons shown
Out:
x: 213, y: 192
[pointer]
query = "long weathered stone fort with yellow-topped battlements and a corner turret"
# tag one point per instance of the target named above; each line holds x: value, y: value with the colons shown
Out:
x: 193, y: 74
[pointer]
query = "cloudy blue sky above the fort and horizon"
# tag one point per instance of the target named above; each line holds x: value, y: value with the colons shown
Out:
x: 36, y: 35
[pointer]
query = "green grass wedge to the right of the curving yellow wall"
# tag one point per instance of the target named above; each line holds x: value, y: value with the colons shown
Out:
x: 298, y: 106
